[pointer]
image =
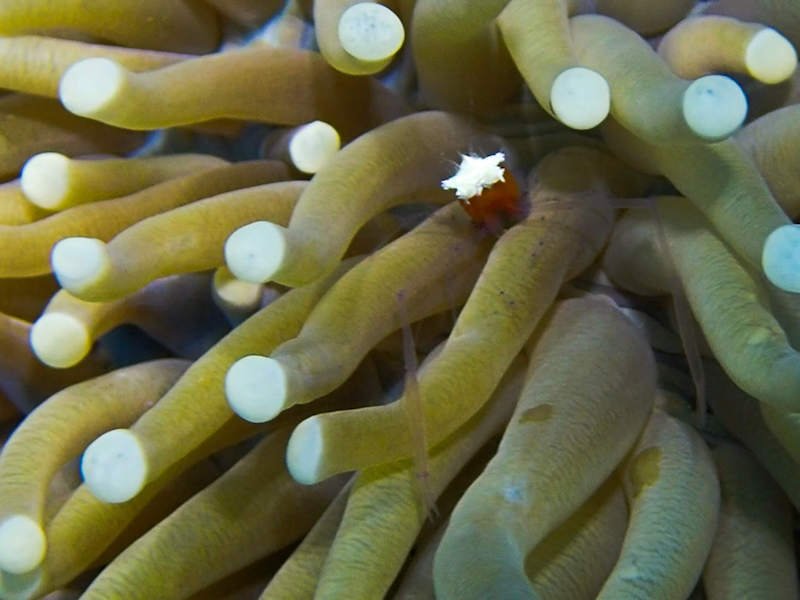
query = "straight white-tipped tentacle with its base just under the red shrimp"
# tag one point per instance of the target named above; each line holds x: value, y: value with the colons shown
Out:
x: 319, y: 359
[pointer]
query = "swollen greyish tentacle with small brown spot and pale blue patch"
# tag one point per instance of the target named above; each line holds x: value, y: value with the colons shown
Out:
x: 513, y: 505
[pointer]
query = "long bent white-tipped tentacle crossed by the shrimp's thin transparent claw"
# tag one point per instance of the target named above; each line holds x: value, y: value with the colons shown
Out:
x: 499, y: 316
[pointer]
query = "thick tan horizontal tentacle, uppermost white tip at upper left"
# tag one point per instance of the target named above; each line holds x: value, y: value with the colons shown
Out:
x: 266, y: 84
